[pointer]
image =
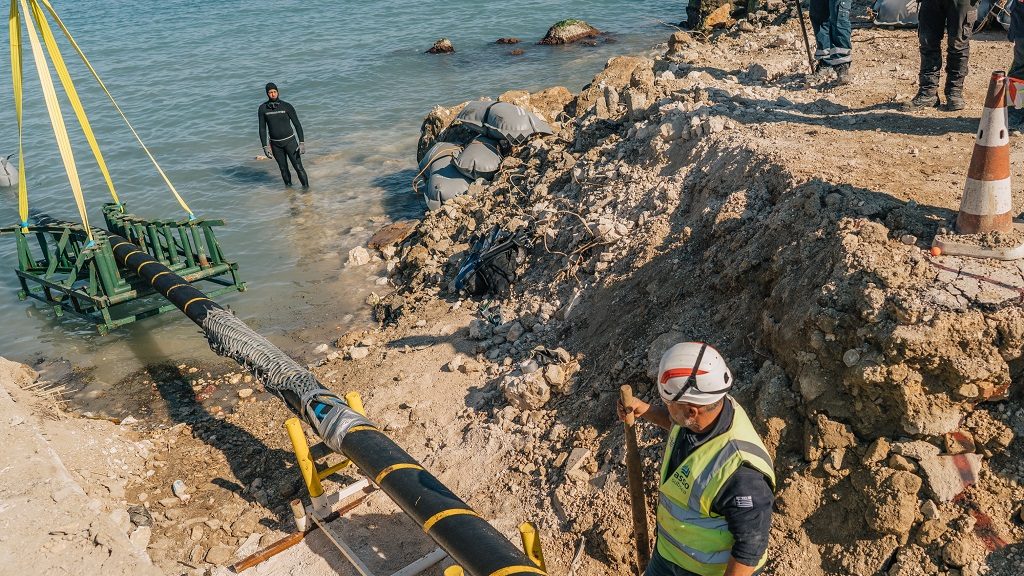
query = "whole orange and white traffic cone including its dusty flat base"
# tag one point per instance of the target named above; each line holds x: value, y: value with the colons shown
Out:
x: 988, y: 201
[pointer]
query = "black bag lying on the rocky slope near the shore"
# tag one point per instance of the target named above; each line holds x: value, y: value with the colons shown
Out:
x: 493, y: 263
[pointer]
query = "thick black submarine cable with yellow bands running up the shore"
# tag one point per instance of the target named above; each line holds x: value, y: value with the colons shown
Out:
x: 472, y: 542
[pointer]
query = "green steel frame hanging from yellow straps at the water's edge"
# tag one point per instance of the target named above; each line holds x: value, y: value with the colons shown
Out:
x: 65, y: 273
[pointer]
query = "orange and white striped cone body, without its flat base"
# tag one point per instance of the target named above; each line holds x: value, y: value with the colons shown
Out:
x: 988, y: 201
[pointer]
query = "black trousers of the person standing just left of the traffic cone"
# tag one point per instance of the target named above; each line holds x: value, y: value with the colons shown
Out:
x: 954, y: 19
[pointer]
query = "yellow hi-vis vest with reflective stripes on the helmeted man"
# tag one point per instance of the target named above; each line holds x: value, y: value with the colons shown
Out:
x: 690, y: 534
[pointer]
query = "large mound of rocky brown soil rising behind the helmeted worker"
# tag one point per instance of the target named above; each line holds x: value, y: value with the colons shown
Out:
x: 870, y: 362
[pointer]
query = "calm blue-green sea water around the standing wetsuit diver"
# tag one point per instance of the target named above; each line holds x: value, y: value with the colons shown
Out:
x: 190, y: 76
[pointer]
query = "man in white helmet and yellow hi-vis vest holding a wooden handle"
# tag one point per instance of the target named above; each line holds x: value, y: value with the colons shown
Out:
x: 717, y: 481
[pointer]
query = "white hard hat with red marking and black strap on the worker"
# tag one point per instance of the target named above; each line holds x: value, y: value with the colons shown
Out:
x: 695, y: 374
